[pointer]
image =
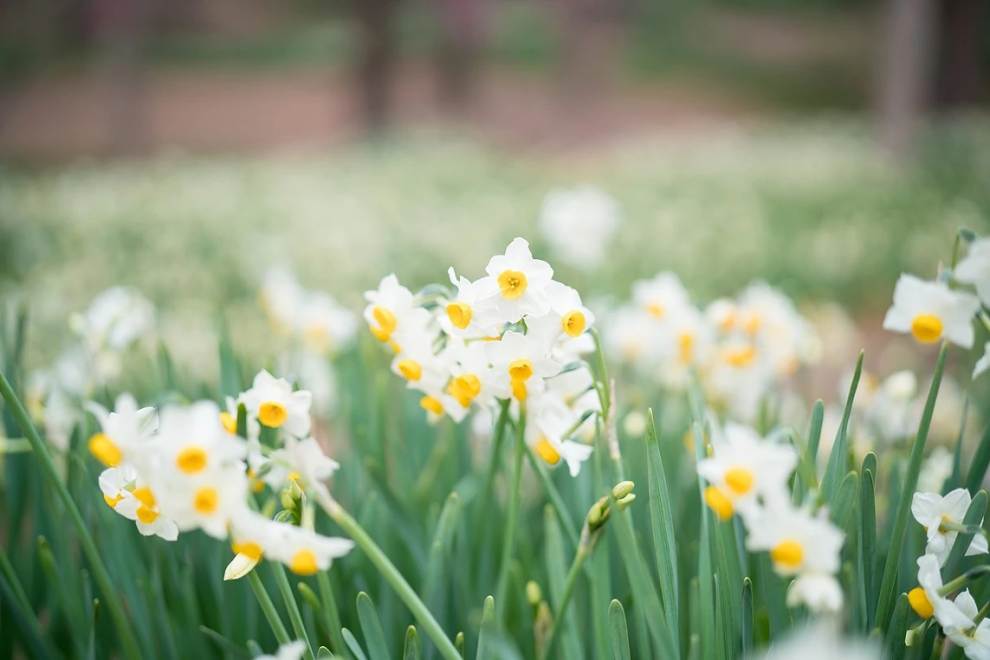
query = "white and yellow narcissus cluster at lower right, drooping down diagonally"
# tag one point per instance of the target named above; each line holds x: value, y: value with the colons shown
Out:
x: 749, y: 475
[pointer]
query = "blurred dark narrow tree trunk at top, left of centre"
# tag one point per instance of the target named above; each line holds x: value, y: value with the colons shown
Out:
x: 376, y: 68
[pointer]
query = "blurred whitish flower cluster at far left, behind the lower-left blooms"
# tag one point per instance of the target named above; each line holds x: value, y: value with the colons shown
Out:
x: 116, y: 320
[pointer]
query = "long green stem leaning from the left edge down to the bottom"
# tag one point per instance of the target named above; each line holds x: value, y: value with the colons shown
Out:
x: 111, y: 598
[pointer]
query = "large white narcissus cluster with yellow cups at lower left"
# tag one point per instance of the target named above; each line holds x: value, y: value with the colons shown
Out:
x: 189, y: 467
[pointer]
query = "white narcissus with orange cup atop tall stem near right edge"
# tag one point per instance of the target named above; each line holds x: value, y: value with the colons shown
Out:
x: 931, y: 311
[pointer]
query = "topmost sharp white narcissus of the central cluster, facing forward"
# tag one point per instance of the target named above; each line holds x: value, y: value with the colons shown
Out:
x: 519, y: 282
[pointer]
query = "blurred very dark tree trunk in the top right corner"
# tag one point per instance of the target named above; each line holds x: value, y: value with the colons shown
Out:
x: 962, y: 24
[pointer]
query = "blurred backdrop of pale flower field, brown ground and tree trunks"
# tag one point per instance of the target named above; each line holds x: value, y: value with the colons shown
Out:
x: 185, y: 147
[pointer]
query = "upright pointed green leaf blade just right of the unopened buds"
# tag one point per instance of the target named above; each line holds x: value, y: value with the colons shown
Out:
x: 662, y: 524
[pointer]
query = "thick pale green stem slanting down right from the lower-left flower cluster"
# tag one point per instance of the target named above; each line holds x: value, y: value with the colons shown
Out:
x: 391, y: 574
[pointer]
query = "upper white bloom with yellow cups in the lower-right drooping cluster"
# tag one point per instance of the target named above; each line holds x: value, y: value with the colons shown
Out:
x: 744, y: 470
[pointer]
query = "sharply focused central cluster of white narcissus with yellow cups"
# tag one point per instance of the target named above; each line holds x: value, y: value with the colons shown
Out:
x: 513, y: 337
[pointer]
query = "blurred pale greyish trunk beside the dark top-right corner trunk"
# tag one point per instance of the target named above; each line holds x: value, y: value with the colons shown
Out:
x: 906, y: 71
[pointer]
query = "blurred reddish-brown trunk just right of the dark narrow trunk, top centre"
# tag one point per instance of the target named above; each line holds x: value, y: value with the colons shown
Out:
x: 463, y: 29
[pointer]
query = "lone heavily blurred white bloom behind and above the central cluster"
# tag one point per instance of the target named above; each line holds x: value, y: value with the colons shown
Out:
x: 578, y: 224
